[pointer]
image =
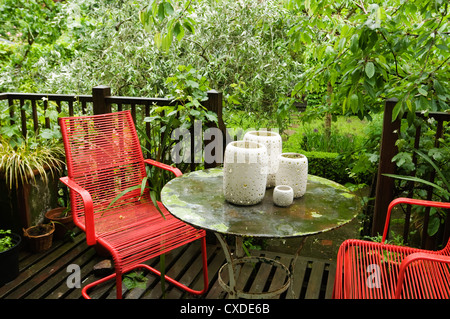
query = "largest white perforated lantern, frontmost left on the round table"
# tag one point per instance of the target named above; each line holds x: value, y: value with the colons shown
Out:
x: 245, y: 172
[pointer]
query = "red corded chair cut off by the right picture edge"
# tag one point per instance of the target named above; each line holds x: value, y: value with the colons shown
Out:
x: 379, y: 270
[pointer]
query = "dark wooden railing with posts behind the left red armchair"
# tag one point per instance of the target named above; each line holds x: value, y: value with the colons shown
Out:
x: 99, y: 102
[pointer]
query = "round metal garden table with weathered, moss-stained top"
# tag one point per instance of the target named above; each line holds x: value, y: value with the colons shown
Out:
x: 197, y: 199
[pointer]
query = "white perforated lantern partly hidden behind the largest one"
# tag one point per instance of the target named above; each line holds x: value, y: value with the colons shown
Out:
x: 273, y: 143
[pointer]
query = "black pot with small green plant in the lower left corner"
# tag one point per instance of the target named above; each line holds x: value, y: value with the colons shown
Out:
x: 9, y: 256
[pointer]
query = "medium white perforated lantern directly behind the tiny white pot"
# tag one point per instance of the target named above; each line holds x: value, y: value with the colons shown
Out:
x: 293, y: 171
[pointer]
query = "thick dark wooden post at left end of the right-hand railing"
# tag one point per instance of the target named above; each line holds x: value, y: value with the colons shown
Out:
x: 385, y: 185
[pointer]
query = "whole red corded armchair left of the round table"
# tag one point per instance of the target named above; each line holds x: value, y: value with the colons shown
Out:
x: 104, y: 158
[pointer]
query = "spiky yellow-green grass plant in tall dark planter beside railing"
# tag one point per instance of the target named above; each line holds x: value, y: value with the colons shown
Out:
x: 29, y: 174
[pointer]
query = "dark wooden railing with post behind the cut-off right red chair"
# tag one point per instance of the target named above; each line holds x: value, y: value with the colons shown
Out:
x: 385, y: 186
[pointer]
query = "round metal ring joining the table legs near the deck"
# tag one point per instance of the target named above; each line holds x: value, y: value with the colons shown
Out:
x: 263, y: 295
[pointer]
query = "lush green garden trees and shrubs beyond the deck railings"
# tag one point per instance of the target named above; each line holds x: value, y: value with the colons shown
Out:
x: 319, y: 71
